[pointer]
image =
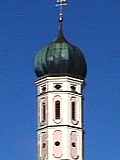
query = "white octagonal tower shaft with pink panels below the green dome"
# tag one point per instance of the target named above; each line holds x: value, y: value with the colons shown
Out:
x: 60, y: 118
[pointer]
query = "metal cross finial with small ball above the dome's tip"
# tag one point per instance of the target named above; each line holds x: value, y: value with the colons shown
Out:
x: 61, y: 4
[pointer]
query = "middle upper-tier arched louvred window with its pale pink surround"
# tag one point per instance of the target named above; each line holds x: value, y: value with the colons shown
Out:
x: 57, y: 114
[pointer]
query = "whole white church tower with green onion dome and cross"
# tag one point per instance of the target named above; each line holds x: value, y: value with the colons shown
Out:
x: 60, y: 68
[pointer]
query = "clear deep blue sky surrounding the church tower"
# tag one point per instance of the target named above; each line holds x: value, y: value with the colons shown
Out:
x: 27, y: 26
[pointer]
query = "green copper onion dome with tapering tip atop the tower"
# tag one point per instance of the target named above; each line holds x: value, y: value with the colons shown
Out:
x: 60, y: 58
